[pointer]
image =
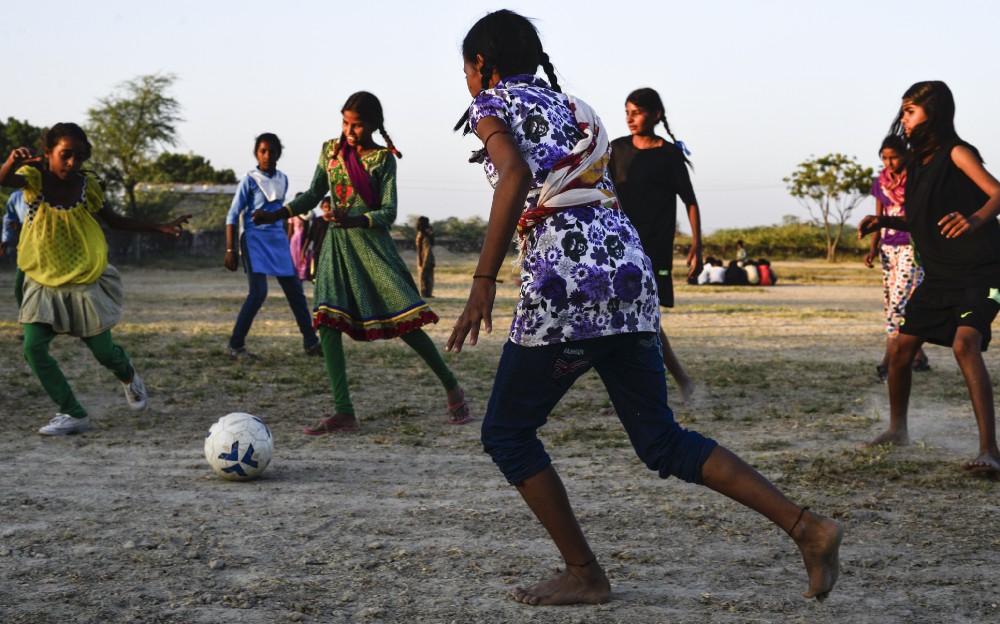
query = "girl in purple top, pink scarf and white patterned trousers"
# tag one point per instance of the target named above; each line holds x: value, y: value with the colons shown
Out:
x: 901, y: 273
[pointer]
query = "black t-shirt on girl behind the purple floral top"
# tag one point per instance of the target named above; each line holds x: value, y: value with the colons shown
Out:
x: 648, y: 182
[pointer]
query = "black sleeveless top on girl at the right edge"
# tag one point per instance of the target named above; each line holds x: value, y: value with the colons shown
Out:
x: 933, y: 190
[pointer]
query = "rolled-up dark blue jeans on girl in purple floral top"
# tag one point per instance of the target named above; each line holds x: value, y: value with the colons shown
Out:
x: 530, y: 381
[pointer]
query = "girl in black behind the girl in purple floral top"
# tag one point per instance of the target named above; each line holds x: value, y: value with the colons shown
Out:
x: 649, y: 173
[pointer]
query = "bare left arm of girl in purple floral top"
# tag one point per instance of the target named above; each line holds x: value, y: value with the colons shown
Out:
x: 508, y: 203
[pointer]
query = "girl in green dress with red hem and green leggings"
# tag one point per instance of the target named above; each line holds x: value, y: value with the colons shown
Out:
x: 363, y: 287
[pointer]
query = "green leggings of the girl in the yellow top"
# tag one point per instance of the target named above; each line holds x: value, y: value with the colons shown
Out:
x: 37, y: 337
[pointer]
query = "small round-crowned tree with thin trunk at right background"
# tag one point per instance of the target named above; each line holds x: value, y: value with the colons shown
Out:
x: 833, y: 186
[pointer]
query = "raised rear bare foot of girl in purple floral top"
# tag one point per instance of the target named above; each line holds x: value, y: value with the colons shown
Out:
x: 818, y: 539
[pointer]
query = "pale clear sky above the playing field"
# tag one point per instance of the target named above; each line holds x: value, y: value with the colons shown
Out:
x: 753, y: 88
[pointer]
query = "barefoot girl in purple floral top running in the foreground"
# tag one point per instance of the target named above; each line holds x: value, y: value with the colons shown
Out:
x: 587, y: 301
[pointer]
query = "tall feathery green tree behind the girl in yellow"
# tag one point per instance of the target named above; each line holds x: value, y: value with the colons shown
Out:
x: 128, y: 126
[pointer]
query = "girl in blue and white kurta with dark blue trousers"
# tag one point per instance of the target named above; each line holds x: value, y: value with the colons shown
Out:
x: 264, y: 248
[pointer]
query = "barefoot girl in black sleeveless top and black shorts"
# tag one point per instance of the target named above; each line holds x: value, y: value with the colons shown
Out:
x: 952, y: 204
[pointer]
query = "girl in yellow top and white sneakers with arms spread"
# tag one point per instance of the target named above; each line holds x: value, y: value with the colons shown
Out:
x: 69, y: 286
